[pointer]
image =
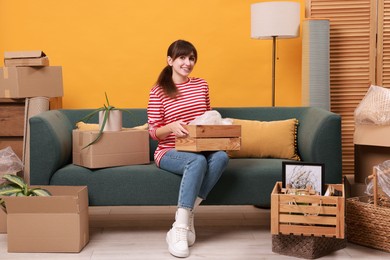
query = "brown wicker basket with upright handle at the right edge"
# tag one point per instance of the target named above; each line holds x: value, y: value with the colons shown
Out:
x: 368, y: 224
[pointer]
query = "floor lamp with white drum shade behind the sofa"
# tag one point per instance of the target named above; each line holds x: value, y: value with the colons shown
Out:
x: 271, y: 20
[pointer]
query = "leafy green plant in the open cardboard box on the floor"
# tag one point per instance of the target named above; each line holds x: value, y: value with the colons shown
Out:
x: 16, y: 186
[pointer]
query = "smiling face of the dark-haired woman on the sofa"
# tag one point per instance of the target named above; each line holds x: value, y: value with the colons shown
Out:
x: 182, y: 66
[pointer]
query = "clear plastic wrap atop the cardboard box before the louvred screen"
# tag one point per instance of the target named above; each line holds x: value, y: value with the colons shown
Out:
x: 374, y: 109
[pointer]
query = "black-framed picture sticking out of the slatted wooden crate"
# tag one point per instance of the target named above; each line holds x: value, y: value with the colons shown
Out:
x: 302, y: 175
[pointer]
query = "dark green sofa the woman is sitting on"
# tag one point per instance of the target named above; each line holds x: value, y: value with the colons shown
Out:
x: 246, y: 181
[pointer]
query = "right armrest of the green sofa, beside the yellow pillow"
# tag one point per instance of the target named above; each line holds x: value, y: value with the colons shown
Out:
x: 319, y: 140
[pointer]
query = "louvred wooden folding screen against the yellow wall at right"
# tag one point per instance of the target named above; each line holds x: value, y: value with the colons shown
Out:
x: 356, y: 60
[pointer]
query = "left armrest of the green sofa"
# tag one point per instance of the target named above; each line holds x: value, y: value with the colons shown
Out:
x: 50, y: 145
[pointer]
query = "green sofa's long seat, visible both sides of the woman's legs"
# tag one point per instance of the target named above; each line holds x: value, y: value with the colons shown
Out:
x: 149, y: 185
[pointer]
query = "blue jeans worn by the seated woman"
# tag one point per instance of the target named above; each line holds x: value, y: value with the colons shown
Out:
x: 200, y: 172
